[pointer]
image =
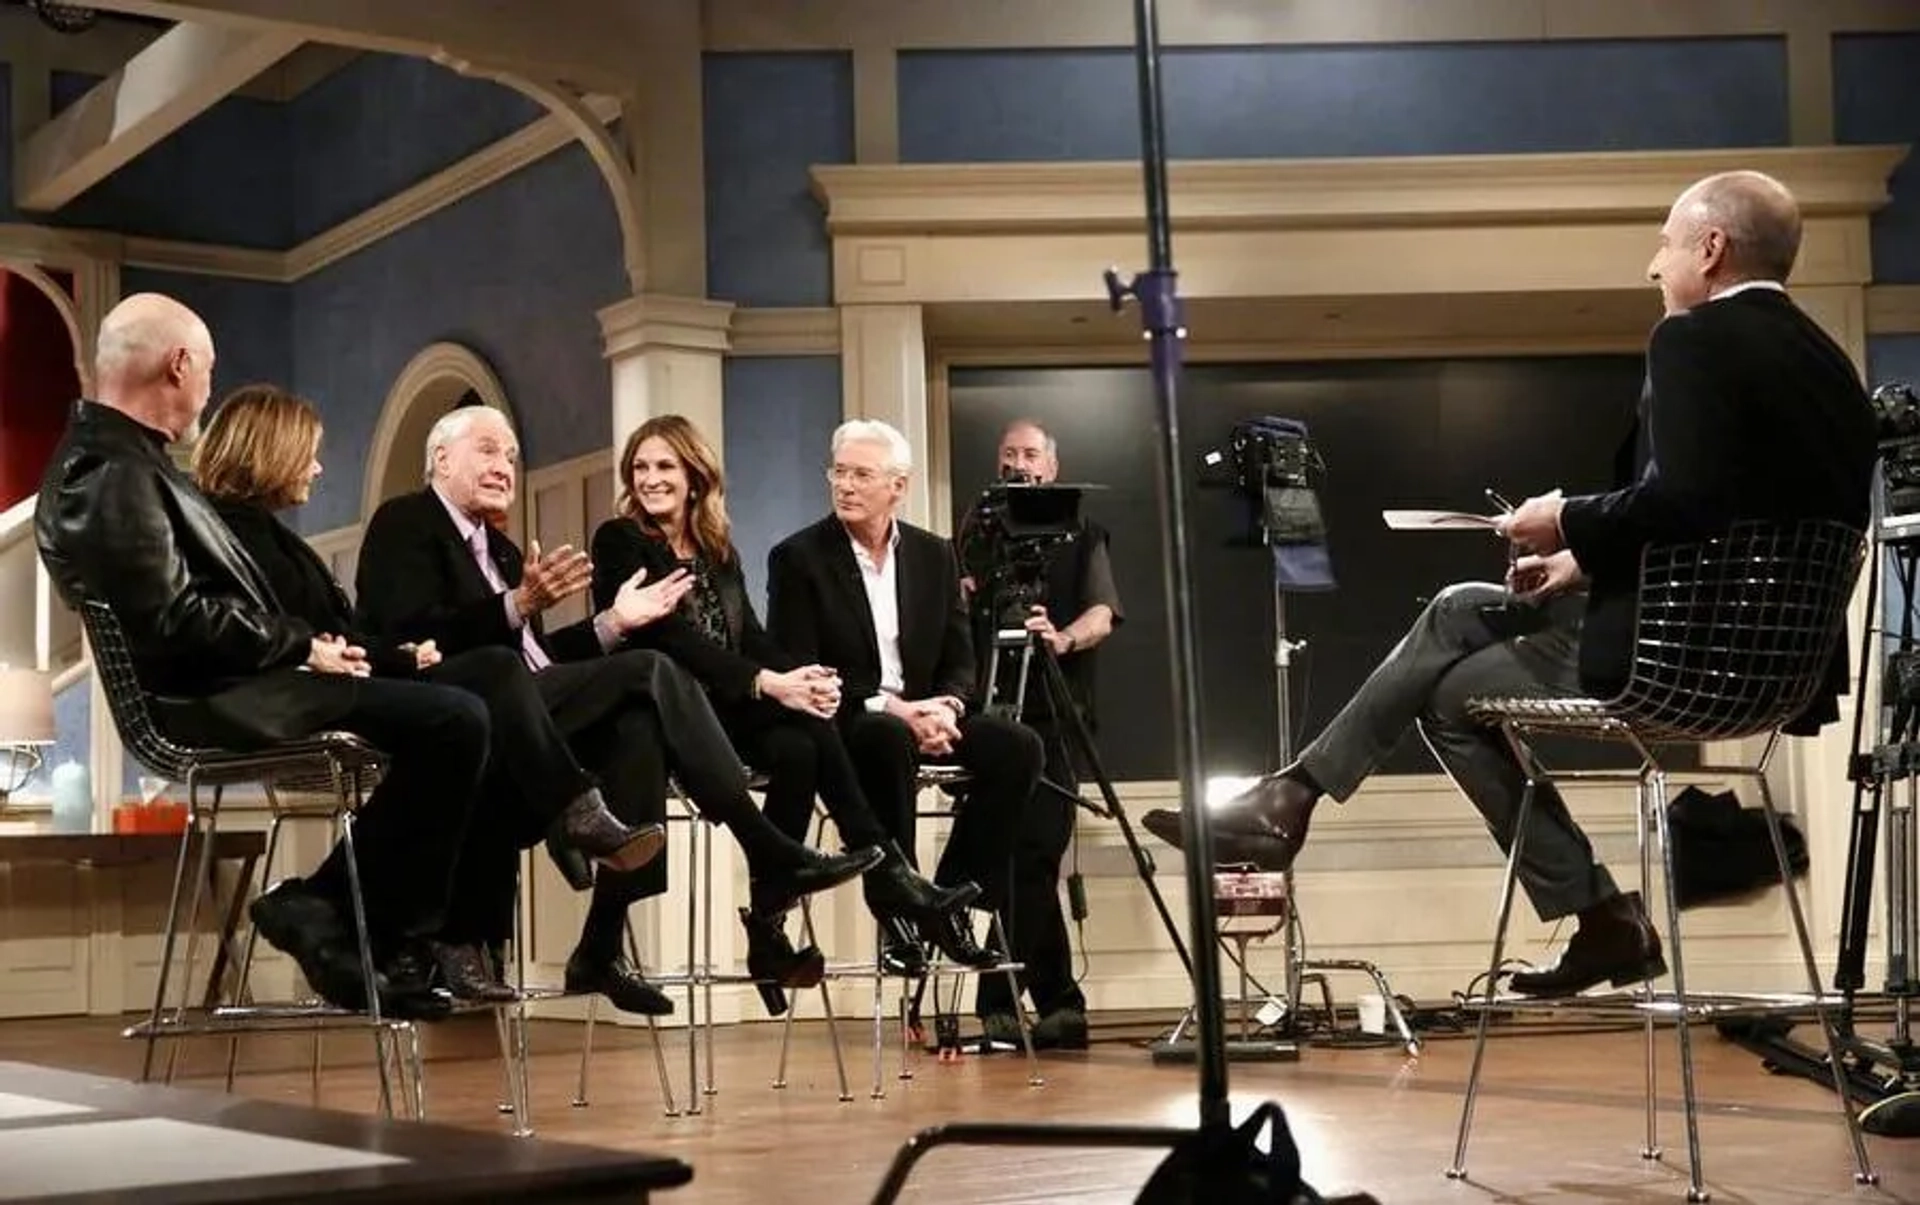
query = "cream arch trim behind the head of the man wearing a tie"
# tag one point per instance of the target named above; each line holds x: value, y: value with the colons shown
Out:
x: 433, y: 383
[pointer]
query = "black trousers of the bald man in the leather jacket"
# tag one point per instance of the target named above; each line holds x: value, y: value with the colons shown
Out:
x: 410, y: 836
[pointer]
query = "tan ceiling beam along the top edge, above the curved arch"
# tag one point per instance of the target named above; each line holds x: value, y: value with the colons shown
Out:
x: 588, y: 43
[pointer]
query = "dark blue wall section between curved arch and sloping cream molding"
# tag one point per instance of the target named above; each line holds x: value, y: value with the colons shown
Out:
x: 383, y: 124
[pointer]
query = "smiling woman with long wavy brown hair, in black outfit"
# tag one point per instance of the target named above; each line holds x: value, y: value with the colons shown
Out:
x: 780, y: 717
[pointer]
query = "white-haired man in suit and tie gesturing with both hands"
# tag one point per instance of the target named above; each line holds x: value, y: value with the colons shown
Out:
x: 435, y: 567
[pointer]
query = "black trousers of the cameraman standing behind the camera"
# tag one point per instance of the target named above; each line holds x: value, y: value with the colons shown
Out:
x: 1036, y: 924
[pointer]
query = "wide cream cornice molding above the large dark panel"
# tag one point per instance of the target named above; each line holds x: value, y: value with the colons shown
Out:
x: 1520, y: 225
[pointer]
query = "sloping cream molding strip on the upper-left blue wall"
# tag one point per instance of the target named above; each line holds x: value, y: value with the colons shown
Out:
x: 489, y: 166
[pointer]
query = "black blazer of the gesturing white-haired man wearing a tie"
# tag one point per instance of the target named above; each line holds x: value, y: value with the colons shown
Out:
x: 418, y: 582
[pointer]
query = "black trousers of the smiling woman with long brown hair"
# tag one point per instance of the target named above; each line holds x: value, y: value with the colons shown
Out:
x: 802, y: 757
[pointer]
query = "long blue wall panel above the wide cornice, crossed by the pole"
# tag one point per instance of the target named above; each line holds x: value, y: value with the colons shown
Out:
x: 1347, y: 101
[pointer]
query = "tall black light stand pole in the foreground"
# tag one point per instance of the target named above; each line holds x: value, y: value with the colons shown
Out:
x: 1161, y: 318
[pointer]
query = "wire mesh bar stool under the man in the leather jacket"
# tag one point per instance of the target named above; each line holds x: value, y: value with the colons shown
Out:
x: 325, y: 776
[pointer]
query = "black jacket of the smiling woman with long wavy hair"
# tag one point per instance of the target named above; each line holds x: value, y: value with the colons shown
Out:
x: 621, y: 550
